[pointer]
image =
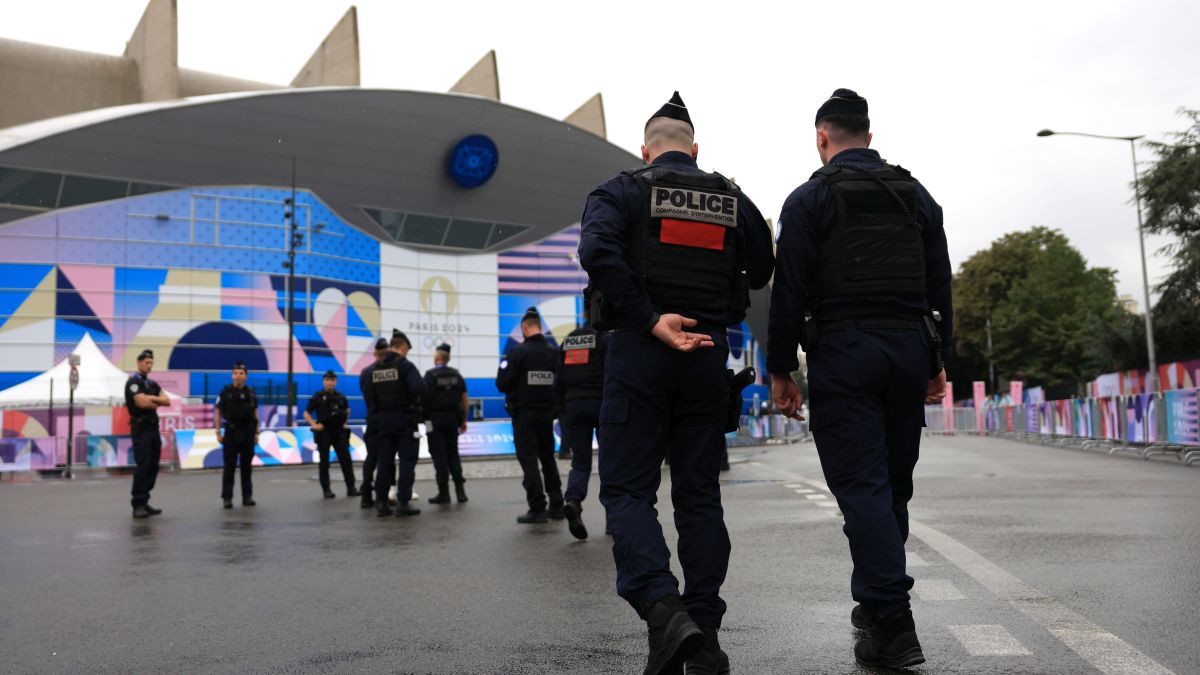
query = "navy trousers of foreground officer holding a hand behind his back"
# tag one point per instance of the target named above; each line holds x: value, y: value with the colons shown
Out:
x: 659, y: 401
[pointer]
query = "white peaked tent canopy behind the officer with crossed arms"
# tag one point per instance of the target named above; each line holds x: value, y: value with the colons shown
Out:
x: 101, y: 384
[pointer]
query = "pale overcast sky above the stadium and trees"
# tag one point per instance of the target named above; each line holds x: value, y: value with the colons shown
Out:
x: 957, y: 91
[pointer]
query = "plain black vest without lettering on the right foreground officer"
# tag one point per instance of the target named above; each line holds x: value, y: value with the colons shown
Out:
x: 875, y: 248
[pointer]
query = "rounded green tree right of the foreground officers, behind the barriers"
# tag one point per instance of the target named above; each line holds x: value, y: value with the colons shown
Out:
x: 1054, y: 320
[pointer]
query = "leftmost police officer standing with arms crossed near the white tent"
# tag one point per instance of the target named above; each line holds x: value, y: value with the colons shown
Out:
x: 143, y: 398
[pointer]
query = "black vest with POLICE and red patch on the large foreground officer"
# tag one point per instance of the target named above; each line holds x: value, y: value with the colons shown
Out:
x: 688, y: 248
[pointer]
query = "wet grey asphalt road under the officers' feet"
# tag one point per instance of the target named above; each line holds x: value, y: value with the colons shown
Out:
x: 1028, y: 559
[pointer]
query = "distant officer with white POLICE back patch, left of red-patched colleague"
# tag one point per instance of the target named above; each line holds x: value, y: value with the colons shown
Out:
x: 527, y: 377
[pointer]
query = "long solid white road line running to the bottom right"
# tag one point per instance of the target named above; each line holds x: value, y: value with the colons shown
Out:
x: 1107, y: 653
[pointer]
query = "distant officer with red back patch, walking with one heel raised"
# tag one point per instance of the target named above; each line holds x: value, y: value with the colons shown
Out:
x: 581, y: 381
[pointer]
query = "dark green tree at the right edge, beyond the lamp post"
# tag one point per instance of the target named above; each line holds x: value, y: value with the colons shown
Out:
x: 1171, y: 192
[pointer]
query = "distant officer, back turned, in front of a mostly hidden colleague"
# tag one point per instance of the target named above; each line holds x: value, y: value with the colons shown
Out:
x: 394, y: 392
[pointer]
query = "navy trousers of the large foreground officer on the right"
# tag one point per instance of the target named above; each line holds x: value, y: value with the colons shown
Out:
x: 867, y: 403
